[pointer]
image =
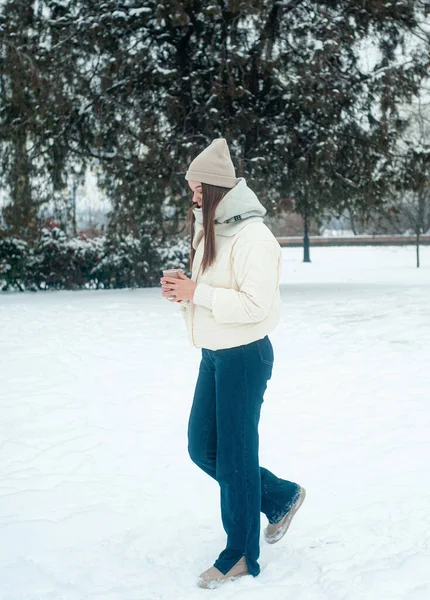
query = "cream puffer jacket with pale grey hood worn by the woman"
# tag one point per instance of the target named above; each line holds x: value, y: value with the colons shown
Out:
x: 237, y: 299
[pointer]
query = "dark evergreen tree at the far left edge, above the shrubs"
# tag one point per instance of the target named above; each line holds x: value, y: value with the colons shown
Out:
x: 36, y: 112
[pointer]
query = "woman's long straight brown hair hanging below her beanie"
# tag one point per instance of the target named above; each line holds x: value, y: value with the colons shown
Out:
x: 211, y: 197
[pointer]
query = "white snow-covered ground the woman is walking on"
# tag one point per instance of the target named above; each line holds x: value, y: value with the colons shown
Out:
x: 99, y: 500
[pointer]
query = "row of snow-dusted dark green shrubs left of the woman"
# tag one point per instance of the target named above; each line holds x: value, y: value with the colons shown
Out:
x: 57, y: 262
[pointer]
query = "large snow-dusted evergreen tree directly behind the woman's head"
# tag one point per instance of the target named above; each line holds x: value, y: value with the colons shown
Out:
x: 285, y: 82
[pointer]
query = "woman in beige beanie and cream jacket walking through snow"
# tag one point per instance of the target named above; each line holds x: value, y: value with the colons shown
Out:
x: 231, y: 304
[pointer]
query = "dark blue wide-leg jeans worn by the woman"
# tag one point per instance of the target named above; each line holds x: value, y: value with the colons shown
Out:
x: 223, y: 441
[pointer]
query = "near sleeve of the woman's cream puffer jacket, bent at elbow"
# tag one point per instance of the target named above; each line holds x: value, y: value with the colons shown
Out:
x: 256, y: 267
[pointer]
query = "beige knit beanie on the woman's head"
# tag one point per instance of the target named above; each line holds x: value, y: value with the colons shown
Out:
x: 213, y: 166
